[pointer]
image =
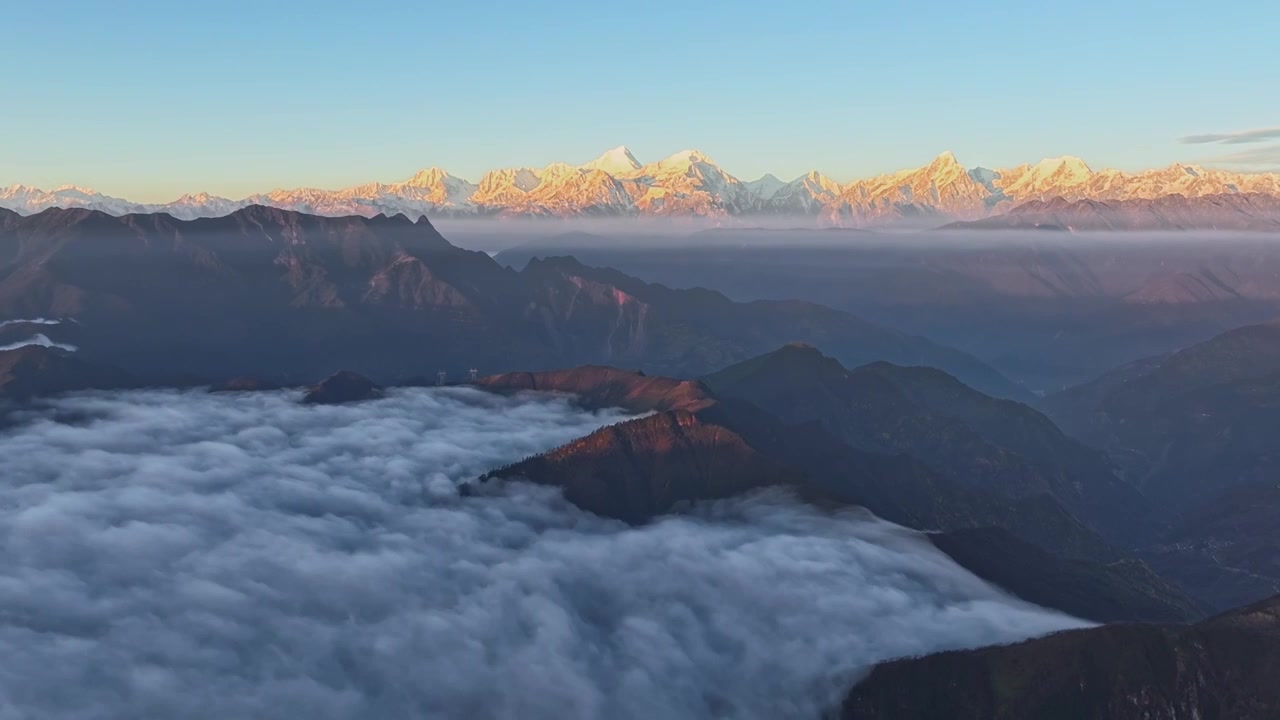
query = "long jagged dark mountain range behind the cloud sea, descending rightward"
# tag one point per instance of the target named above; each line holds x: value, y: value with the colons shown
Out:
x: 268, y: 293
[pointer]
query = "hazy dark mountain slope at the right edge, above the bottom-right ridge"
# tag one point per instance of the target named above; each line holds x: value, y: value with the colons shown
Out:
x: 1196, y: 431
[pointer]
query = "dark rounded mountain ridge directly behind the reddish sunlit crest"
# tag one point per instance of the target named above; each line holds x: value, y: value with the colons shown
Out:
x: 982, y: 444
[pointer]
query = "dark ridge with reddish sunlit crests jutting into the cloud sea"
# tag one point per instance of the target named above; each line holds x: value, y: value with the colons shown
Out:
x: 698, y: 445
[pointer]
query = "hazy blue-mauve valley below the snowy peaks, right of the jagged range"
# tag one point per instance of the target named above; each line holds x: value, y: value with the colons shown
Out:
x: 1046, y: 309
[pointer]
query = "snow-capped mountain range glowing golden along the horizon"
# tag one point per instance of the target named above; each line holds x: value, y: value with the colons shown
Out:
x: 692, y: 185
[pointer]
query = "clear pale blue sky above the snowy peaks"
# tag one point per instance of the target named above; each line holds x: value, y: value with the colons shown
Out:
x: 150, y: 101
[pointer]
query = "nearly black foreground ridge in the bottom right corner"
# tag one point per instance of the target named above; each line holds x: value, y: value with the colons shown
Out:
x: 1220, y: 669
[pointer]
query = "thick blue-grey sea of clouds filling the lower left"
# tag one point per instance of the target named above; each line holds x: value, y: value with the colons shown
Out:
x: 191, y: 555
